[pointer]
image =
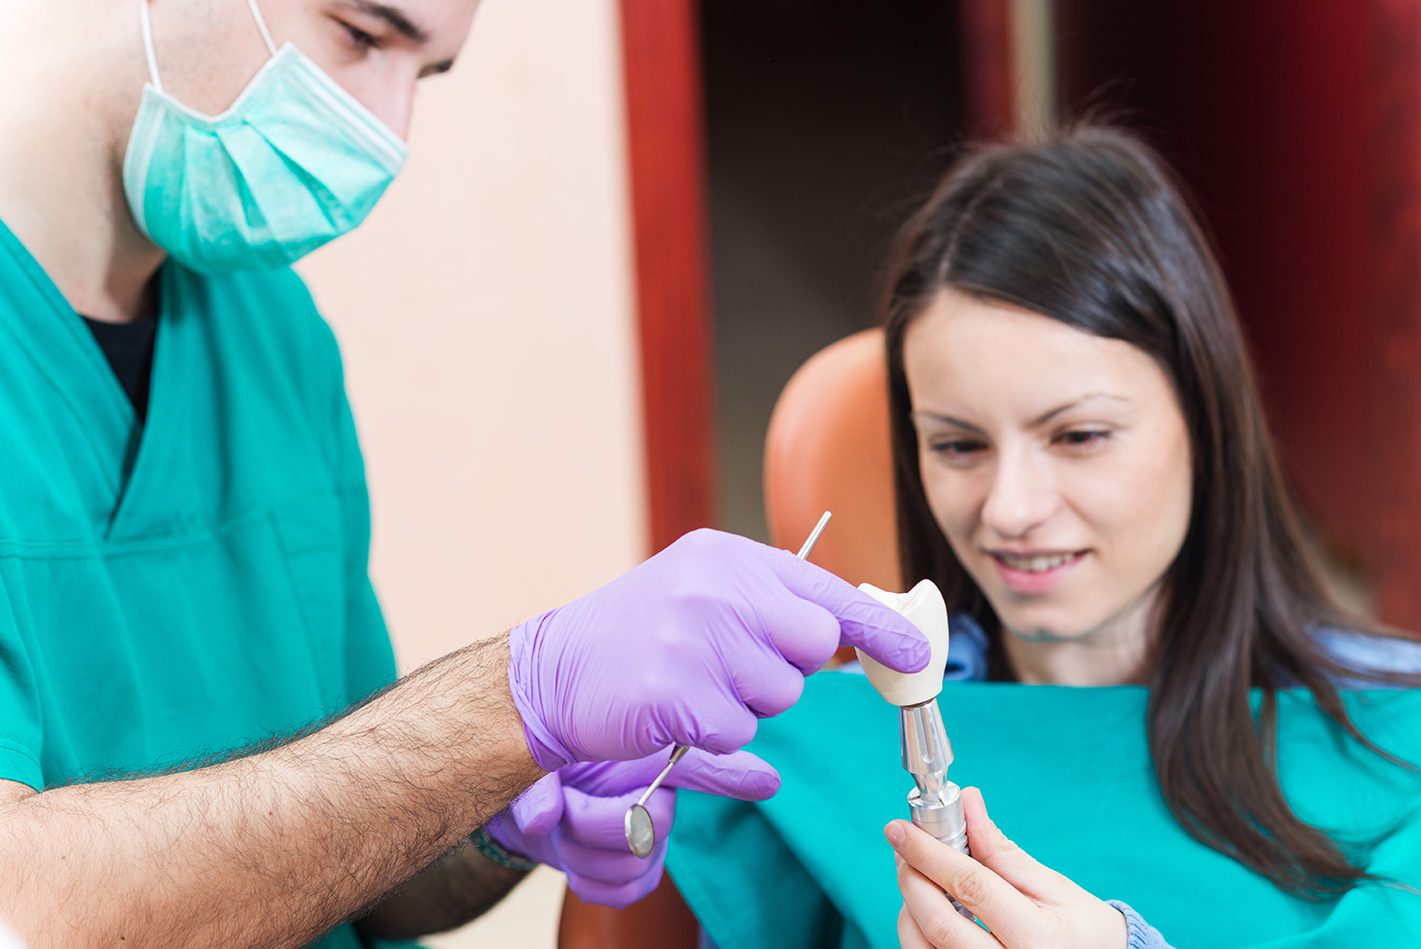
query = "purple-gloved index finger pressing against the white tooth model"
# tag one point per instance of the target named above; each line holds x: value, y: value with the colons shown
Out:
x: 863, y: 622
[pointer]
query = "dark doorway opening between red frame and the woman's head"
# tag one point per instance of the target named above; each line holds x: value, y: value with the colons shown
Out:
x: 825, y: 124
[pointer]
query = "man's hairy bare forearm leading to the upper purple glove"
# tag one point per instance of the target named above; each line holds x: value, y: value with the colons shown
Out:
x: 275, y: 849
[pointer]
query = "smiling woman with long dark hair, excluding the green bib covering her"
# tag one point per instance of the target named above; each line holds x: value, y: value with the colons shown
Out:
x: 1084, y: 468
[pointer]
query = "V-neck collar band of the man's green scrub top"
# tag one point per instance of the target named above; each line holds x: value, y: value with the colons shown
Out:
x: 70, y: 357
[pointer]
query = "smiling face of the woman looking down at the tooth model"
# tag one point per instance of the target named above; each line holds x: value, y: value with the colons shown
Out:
x: 1055, y: 462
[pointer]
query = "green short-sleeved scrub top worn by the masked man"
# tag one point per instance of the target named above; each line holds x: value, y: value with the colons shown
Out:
x: 188, y: 587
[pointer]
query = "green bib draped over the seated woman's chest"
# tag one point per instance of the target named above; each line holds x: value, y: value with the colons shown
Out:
x: 1066, y: 774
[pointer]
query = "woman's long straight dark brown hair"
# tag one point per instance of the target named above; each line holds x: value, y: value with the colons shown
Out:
x: 1089, y: 228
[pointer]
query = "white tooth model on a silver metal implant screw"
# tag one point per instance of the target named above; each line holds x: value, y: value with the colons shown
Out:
x: 936, y: 803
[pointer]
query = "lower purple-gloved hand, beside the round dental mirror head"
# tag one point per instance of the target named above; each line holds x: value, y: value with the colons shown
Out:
x: 573, y: 820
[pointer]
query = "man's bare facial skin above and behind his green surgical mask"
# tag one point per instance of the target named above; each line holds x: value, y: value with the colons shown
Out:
x: 208, y: 50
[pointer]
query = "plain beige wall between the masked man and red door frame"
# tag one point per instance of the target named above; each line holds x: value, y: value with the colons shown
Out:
x: 487, y: 319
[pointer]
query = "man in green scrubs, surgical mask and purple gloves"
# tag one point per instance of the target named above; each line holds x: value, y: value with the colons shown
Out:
x: 202, y: 741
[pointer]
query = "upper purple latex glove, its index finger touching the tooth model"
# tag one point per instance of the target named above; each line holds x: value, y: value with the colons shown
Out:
x: 691, y: 649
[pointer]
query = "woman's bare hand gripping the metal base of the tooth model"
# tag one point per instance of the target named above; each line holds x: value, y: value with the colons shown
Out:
x: 1021, y: 901
